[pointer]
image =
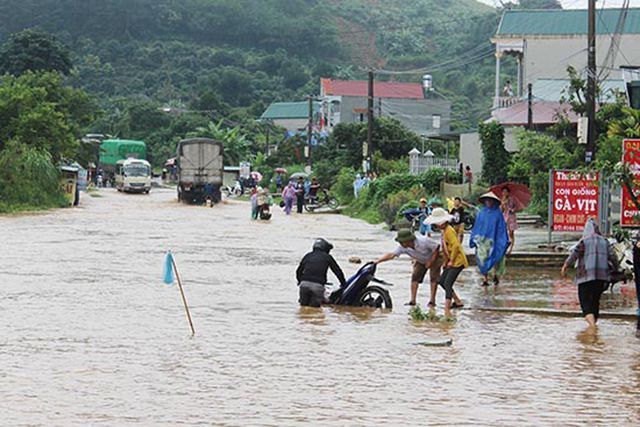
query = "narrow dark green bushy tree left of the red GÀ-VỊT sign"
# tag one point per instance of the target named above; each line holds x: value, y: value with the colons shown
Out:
x: 495, y: 158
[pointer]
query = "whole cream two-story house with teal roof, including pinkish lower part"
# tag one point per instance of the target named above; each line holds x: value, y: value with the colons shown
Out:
x: 543, y: 44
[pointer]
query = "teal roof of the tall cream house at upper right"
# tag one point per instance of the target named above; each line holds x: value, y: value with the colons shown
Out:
x: 564, y: 22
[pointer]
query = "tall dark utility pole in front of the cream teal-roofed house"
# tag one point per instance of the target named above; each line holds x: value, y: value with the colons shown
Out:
x: 591, y: 84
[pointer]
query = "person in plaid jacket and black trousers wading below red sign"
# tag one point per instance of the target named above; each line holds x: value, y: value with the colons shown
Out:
x: 593, y: 275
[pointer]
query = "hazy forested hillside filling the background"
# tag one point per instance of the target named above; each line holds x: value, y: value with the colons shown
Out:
x: 244, y: 54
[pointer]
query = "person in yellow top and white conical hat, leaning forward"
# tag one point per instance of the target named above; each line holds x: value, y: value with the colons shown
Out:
x: 454, y: 258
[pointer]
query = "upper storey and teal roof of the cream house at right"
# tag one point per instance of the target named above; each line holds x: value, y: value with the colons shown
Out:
x: 544, y: 43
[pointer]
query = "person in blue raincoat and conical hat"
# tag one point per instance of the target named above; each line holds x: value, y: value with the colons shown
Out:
x: 490, y: 238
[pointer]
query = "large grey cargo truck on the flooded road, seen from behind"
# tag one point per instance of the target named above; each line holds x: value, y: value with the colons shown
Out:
x: 200, y: 170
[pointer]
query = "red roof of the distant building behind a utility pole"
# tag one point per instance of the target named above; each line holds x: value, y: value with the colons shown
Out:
x: 380, y: 89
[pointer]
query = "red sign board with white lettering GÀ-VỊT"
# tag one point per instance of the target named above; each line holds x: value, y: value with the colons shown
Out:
x: 575, y: 199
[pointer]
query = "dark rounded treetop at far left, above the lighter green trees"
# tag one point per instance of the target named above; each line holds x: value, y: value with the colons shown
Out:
x: 31, y: 50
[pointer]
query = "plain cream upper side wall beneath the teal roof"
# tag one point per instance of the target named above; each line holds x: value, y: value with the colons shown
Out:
x: 549, y: 57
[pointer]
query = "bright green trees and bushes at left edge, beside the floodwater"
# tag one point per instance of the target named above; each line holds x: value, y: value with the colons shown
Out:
x: 42, y: 121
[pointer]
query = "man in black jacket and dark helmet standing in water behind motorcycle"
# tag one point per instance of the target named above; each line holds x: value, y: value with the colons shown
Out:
x: 312, y: 273
